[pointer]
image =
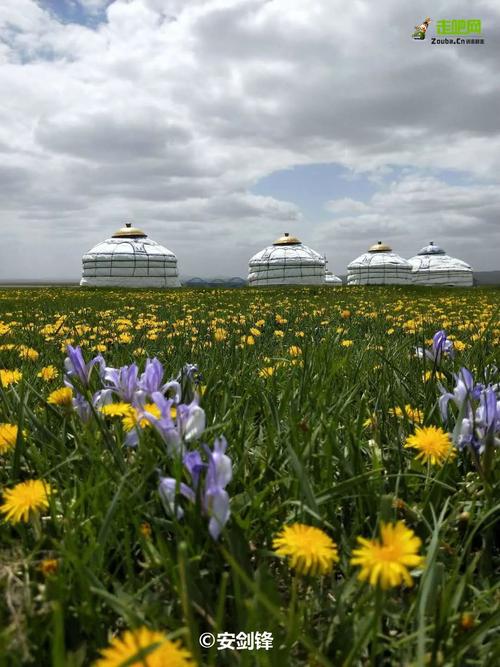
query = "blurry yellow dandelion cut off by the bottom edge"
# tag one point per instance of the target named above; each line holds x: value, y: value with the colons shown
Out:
x: 144, y: 648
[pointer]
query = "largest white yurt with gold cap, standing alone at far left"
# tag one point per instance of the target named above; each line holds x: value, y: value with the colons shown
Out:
x: 129, y: 259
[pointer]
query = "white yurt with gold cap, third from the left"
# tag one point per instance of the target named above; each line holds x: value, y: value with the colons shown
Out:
x: 379, y: 266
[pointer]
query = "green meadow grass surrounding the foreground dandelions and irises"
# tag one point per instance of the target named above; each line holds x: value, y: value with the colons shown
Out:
x: 301, y: 452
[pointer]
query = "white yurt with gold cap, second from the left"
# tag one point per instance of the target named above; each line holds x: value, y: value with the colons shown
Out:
x: 287, y: 262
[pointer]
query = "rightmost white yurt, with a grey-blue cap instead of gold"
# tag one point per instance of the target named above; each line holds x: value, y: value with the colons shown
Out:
x: 432, y: 266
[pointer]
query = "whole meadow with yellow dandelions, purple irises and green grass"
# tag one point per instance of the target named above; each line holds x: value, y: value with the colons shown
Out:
x: 317, y: 464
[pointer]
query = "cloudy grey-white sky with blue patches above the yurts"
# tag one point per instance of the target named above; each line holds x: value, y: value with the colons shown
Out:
x: 217, y: 125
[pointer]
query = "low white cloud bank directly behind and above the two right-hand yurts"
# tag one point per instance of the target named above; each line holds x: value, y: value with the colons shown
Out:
x: 412, y: 211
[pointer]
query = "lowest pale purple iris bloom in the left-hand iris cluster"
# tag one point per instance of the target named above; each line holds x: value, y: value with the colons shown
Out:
x: 214, y: 497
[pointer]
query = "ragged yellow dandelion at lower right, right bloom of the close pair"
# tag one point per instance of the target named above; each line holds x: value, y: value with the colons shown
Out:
x: 386, y: 561
